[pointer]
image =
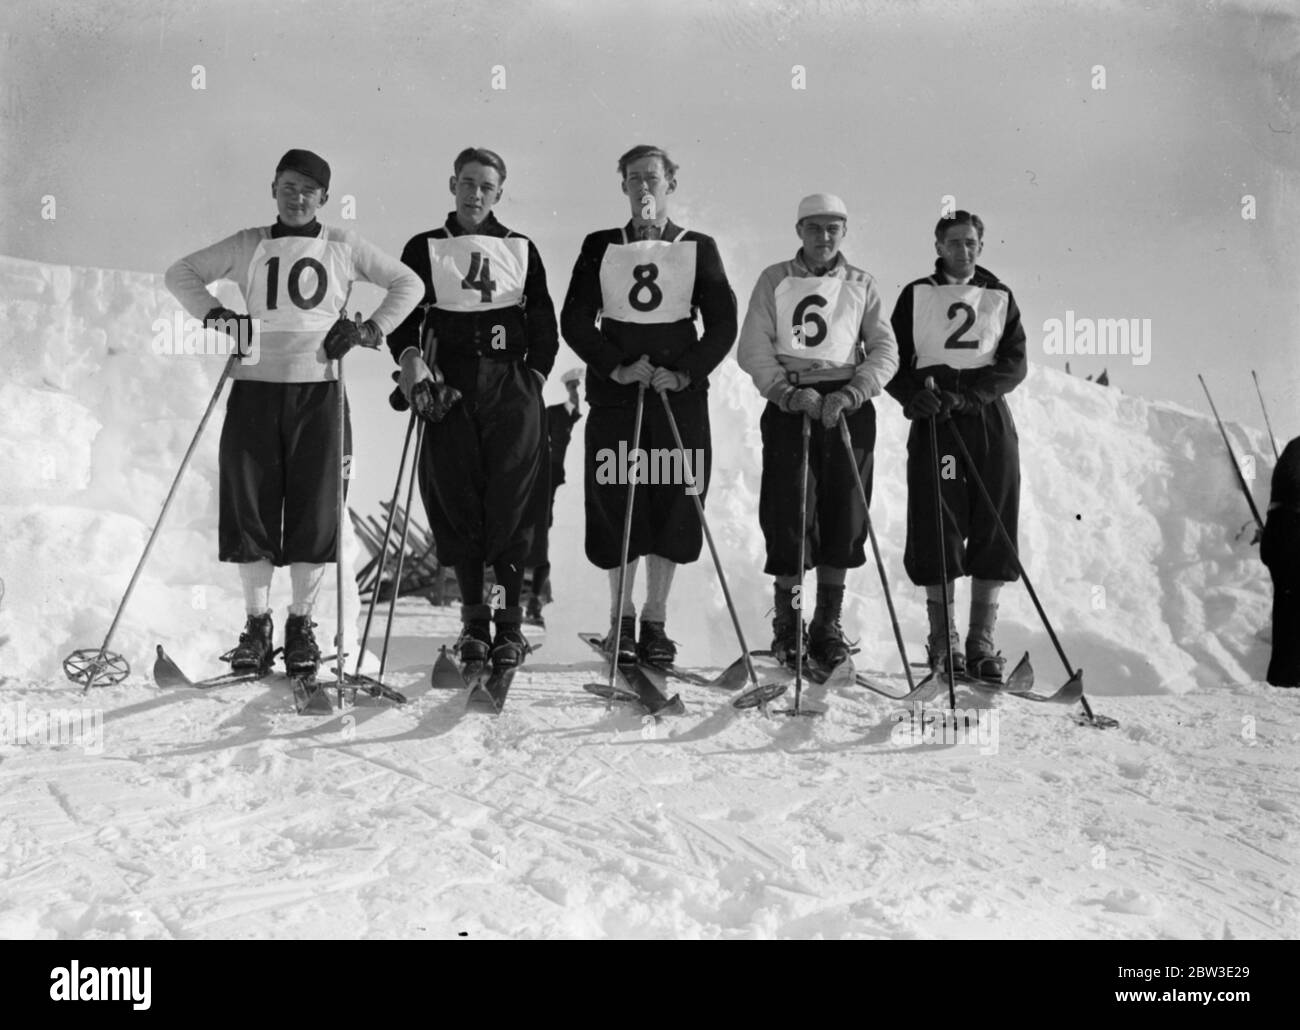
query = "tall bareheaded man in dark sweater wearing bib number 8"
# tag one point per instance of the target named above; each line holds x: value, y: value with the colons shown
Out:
x: 631, y: 315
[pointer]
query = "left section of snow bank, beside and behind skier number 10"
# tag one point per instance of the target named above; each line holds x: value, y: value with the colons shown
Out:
x: 94, y: 429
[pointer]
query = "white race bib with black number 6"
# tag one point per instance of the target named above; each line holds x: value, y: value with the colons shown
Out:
x: 820, y: 319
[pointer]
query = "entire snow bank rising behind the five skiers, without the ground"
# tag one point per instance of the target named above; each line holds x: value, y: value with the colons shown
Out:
x: 1130, y: 516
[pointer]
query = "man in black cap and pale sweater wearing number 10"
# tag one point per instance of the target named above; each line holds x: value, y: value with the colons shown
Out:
x: 280, y: 453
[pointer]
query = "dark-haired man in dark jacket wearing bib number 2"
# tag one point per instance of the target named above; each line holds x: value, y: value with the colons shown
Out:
x: 961, y: 327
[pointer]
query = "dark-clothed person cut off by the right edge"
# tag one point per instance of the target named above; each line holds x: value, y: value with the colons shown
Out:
x: 1280, y: 551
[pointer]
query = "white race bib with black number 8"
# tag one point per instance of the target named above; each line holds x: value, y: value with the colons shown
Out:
x: 648, y: 282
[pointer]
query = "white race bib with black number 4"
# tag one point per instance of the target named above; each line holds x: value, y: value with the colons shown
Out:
x: 478, y: 272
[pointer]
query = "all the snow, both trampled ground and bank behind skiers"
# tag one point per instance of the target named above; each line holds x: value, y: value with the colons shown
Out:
x: 137, y: 813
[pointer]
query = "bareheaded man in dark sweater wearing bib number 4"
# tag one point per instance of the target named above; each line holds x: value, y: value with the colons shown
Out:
x: 484, y: 468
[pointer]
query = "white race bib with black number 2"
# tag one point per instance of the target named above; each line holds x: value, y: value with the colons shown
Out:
x: 957, y: 326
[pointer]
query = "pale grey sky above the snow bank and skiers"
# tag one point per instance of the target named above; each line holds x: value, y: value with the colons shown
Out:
x: 1124, y: 202
